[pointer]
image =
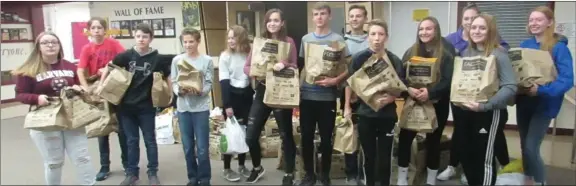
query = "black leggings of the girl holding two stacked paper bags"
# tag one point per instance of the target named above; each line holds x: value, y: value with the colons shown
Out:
x: 259, y: 113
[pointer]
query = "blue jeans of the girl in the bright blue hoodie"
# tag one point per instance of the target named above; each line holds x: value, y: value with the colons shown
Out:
x: 532, y: 126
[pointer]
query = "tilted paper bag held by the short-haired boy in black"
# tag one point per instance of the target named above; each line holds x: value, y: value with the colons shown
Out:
x: 376, y: 77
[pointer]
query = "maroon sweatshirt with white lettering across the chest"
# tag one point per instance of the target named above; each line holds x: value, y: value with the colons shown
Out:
x: 49, y: 83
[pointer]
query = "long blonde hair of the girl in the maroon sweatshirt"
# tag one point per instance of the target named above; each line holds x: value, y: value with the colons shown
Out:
x: 35, y: 65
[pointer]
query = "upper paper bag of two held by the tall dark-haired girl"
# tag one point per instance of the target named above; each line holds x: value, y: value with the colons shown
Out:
x: 266, y: 53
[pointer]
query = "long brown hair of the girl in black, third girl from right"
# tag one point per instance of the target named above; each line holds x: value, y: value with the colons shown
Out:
x: 436, y: 44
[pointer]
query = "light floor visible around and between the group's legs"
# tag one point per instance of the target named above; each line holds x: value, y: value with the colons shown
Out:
x: 21, y: 163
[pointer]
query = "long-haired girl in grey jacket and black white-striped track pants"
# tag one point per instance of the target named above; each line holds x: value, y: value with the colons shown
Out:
x: 482, y: 119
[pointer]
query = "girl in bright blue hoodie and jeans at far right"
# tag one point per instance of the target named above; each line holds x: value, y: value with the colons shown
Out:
x: 542, y: 102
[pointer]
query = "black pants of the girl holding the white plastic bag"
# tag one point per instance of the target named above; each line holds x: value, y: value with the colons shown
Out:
x: 240, y: 101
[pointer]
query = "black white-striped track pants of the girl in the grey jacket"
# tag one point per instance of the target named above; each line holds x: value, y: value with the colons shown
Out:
x: 477, y: 150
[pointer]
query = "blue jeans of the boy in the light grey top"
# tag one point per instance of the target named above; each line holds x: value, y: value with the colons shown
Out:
x: 194, y: 129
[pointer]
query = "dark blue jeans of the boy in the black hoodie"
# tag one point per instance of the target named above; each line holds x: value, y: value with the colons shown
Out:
x: 130, y: 122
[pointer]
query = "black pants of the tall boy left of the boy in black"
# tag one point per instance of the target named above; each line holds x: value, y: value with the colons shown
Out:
x: 322, y: 113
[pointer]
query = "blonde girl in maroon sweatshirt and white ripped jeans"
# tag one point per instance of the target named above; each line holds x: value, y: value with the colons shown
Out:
x: 45, y: 73
